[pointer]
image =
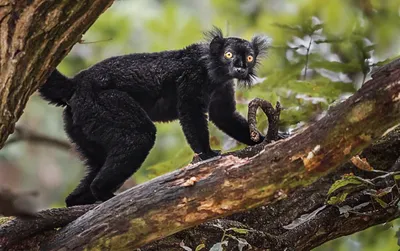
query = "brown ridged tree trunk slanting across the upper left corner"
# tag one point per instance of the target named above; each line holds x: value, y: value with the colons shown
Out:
x: 35, y: 36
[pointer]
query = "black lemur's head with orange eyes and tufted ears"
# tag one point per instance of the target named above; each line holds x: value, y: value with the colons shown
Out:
x: 233, y: 57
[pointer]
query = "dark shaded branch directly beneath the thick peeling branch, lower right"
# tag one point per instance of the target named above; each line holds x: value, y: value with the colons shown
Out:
x: 267, y: 222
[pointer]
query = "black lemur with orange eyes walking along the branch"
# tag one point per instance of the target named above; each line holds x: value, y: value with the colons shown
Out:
x: 110, y: 107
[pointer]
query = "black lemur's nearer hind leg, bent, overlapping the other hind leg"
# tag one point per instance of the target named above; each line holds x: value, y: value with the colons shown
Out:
x: 127, y: 134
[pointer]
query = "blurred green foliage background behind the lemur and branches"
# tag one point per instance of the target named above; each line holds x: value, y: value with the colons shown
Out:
x: 321, y: 52
